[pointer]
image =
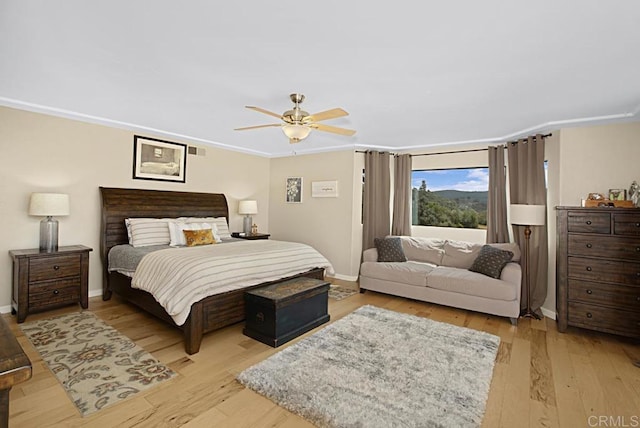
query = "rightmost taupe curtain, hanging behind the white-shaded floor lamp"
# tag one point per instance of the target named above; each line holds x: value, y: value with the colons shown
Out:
x: 527, y: 186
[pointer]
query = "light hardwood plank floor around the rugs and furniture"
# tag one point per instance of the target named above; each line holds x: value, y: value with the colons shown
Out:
x: 542, y: 378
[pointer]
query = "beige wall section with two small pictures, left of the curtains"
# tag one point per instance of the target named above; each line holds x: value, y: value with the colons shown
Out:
x: 327, y: 224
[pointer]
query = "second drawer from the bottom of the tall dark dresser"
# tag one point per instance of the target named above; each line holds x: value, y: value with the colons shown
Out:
x: 614, y: 296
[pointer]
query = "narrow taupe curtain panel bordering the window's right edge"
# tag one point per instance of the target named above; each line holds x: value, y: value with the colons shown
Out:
x: 497, y: 228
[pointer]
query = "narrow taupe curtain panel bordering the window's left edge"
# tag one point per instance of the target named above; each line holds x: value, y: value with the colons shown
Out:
x: 401, y: 225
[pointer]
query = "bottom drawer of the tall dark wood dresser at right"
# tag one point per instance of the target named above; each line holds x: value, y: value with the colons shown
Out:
x: 594, y: 317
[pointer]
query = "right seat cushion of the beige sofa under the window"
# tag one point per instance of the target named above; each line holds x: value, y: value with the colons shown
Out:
x: 472, y: 283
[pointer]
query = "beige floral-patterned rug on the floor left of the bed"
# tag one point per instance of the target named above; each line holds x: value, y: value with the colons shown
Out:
x: 96, y: 365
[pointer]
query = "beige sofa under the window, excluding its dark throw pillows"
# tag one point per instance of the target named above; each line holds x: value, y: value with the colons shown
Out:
x: 436, y: 271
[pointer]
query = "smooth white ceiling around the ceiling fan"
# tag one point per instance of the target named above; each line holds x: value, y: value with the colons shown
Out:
x: 411, y: 74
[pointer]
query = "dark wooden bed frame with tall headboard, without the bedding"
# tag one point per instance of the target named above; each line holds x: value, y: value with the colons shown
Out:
x: 208, y: 314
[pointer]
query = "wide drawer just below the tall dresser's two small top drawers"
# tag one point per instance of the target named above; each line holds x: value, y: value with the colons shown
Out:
x: 610, y: 247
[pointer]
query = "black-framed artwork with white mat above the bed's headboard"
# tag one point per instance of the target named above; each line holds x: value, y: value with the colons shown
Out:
x: 155, y: 159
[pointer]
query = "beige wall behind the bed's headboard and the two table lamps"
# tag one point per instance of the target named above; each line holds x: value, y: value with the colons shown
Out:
x: 44, y: 153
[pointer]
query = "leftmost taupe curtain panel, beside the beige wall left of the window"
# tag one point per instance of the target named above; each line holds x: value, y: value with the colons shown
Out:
x: 375, y: 208
